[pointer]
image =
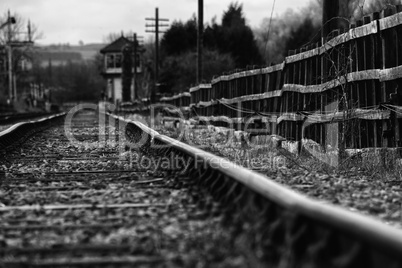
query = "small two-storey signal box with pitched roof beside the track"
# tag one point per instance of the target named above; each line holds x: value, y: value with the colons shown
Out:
x: 112, y: 70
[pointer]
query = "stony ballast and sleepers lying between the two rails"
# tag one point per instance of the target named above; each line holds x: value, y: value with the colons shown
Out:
x: 63, y: 205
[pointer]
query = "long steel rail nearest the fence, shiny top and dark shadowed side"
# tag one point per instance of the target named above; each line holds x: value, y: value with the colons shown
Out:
x: 300, y: 230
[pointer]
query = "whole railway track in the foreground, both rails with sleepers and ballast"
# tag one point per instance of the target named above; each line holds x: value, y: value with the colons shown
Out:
x: 121, y: 195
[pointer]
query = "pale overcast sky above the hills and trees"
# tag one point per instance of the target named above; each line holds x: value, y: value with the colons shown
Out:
x: 69, y: 21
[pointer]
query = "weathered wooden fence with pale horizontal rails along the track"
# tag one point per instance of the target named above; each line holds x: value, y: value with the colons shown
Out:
x: 349, y: 85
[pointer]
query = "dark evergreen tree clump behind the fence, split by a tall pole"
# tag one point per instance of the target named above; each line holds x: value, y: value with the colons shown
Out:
x: 228, y: 46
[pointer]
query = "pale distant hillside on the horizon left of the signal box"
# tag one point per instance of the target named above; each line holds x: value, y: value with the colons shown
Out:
x: 61, y: 54
